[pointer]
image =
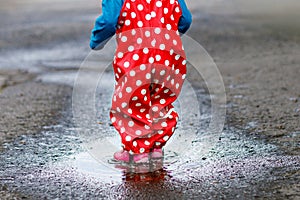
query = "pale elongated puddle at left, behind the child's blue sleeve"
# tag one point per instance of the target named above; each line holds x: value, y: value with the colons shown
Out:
x: 41, y: 59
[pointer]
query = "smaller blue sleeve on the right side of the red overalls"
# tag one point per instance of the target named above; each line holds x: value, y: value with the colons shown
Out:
x: 186, y: 18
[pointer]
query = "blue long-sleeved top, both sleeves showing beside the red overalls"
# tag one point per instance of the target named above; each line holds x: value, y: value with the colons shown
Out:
x: 106, y: 24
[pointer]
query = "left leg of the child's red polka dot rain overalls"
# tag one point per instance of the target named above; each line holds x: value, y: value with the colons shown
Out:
x: 130, y: 109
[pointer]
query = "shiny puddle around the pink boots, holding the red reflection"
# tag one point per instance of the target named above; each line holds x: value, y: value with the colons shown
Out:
x: 53, y: 165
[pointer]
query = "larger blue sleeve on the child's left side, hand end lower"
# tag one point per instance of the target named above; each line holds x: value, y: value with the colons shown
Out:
x: 106, y: 23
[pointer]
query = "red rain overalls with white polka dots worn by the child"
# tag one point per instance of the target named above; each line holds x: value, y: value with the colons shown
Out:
x: 149, y: 67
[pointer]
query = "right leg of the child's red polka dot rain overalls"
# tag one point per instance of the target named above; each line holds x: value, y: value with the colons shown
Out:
x: 167, y: 85
